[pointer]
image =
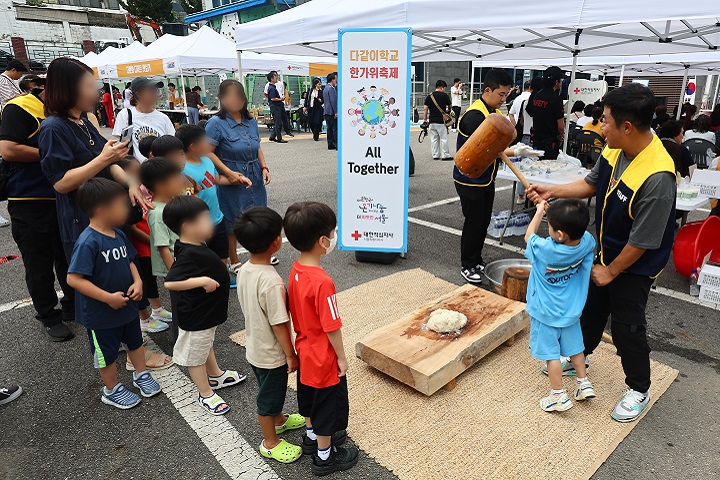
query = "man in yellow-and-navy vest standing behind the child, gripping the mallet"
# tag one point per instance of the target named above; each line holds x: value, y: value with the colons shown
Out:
x: 634, y: 186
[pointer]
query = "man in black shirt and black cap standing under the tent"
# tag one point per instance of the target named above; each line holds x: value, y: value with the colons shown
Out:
x: 546, y: 108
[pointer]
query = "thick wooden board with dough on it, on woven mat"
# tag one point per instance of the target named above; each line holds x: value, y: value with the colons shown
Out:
x: 426, y: 360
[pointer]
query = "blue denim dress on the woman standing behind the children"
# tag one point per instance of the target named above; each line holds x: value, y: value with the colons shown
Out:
x: 237, y: 145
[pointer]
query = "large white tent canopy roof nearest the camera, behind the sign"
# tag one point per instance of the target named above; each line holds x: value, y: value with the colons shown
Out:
x: 479, y: 29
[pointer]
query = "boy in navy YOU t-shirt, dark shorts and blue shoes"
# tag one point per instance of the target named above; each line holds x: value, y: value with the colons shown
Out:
x: 108, y: 286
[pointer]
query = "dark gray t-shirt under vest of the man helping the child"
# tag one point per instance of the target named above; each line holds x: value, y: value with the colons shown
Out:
x: 651, y: 207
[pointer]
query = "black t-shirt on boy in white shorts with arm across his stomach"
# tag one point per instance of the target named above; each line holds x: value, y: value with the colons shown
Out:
x: 196, y: 309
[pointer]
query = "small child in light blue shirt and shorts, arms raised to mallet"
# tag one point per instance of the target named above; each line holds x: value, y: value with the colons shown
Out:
x: 556, y: 295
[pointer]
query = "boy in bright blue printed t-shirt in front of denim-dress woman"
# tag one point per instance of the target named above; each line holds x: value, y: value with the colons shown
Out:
x: 202, y: 170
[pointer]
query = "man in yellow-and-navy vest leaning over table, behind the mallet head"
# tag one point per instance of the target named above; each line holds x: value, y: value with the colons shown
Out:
x: 477, y: 194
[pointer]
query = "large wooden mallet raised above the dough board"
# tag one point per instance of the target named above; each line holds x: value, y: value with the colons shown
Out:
x: 485, y: 145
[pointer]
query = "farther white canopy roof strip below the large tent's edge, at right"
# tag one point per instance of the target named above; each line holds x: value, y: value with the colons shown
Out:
x: 698, y: 63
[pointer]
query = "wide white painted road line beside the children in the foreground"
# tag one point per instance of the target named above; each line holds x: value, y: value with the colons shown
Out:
x: 240, y: 460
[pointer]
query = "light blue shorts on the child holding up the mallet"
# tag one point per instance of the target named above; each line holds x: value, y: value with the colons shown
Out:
x: 550, y: 343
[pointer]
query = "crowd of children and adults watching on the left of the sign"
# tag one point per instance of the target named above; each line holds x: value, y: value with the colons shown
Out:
x: 110, y: 218
